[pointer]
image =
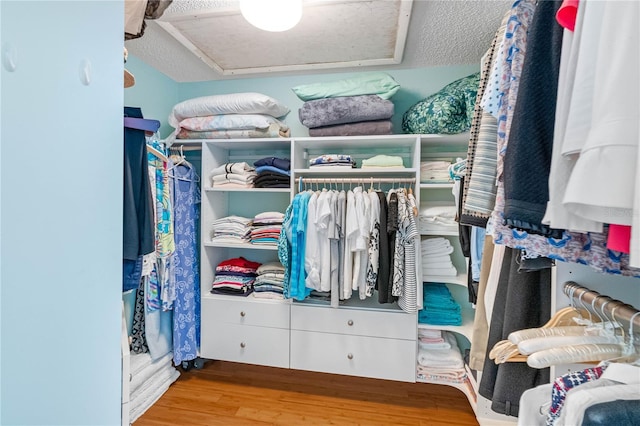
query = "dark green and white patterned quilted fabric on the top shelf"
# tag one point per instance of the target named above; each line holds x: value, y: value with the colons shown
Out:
x: 448, y: 111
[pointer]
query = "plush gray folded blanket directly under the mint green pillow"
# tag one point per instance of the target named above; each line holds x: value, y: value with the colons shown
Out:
x: 346, y: 109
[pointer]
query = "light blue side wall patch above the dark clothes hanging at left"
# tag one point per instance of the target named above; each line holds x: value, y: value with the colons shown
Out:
x: 154, y: 92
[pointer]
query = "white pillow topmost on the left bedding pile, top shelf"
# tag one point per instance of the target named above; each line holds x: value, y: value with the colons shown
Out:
x: 233, y: 103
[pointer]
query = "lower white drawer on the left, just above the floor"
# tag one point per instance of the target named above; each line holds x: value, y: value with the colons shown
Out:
x: 248, y: 344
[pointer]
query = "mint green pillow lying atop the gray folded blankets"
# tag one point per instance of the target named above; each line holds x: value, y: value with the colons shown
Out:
x: 377, y: 83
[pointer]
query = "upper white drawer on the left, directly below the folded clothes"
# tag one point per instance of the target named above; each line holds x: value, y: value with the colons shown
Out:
x: 245, y: 312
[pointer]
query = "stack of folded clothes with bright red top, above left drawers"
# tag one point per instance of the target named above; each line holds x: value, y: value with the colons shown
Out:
x: 235, y: 277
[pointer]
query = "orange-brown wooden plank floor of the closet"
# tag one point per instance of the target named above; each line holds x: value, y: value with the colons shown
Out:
x: 225, y: 393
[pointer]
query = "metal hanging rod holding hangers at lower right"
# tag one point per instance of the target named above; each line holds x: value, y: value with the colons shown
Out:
x: 600, y: 304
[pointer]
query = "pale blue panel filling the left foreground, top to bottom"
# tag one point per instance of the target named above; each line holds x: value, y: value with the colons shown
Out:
x: 61, y: 210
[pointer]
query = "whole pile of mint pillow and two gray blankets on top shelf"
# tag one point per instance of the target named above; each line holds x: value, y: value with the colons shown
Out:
x: 349, y: 107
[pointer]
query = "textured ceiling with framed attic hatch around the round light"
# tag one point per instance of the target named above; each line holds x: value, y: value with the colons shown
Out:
x: 346, y: 35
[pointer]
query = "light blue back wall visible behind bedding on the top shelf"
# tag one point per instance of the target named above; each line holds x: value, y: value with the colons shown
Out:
x: 415, y: 84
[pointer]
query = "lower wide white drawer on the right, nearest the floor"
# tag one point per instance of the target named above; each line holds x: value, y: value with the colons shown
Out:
x: 354, y: 355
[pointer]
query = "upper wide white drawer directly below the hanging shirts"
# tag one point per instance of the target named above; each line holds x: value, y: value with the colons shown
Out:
x: 395, y: 325
